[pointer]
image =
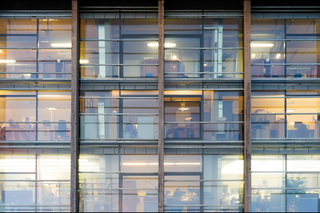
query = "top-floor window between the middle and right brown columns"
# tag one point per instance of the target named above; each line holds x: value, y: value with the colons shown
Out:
x: 203, y: 45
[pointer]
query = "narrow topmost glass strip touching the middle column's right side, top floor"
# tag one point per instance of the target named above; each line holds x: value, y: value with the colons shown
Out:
x: 182, y: 26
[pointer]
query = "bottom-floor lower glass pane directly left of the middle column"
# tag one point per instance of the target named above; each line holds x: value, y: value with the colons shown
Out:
x: 144, y: 198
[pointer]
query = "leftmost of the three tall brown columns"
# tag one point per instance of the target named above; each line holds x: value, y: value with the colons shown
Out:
x: 74, y: 205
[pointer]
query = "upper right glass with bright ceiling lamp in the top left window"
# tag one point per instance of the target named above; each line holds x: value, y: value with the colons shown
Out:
x: 55, y: 33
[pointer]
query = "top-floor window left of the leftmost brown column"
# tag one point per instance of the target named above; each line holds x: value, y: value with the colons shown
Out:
x: 35, y: 48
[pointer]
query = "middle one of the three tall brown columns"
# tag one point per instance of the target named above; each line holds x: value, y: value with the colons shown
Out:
x: 161, y: 105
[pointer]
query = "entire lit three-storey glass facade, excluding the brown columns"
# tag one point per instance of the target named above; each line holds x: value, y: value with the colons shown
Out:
x: 119, y: 110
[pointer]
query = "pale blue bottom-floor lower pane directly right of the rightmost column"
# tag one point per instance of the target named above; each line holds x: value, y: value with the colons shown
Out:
x: 268, y: 200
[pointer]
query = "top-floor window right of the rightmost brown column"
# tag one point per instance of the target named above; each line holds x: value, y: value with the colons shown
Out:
x: 284, y: 48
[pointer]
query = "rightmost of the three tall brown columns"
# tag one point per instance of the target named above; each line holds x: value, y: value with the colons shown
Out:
x: 247, y: 104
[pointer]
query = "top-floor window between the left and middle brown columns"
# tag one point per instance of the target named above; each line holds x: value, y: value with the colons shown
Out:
x: 114, y: 45
